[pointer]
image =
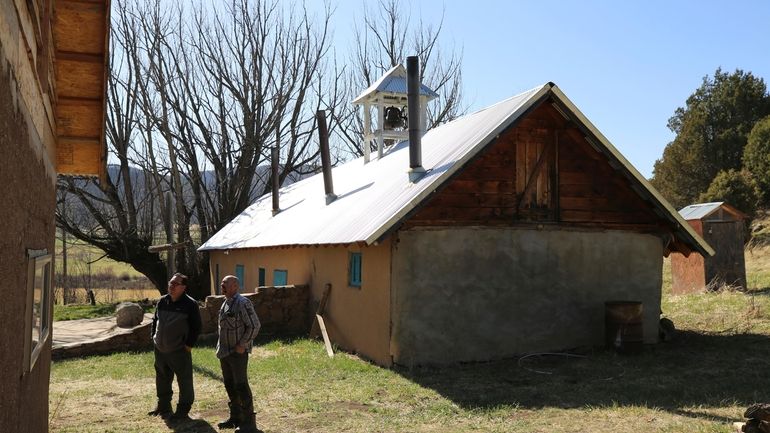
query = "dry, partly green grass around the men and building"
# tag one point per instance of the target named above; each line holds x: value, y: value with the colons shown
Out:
x: 699, y: 383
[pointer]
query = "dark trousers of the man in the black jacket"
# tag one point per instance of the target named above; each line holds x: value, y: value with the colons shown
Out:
x: 167, y: 365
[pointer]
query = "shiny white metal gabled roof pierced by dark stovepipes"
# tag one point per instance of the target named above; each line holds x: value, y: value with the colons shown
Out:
x: 374, y: 198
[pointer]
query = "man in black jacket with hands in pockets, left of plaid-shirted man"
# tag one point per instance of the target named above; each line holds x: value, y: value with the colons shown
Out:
x: 175, y: 328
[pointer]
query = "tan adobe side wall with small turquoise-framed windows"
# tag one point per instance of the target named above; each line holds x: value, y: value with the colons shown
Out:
x: 357, y: 315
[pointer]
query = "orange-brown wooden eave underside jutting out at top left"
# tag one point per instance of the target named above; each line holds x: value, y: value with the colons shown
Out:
x: 81, y: 41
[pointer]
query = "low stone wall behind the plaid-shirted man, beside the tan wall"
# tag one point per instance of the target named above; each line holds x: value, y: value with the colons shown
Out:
x: 282, y: 310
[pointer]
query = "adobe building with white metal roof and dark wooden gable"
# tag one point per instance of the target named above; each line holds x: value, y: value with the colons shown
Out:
x: 505, y: 235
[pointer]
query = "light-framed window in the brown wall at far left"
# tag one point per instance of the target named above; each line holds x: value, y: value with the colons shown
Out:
x: 39, y: 277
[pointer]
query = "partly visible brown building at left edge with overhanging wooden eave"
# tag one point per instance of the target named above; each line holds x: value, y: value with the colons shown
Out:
x: 53, y: 58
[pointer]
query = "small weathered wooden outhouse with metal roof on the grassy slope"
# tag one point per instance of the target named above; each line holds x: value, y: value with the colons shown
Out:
x: 722, y: 226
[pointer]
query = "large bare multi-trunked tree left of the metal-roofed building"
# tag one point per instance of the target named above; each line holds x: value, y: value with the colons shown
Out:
x: 196, y: 100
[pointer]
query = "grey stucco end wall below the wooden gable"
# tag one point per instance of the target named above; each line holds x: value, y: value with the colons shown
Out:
x: 479, y: 294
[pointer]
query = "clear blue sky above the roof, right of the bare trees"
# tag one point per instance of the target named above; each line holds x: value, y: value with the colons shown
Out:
x: 626, y: 64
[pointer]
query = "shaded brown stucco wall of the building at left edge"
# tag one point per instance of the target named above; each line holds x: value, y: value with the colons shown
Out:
x: 27, y: 198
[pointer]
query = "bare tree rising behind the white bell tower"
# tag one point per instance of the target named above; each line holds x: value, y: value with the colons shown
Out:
x: 384, y: 39
